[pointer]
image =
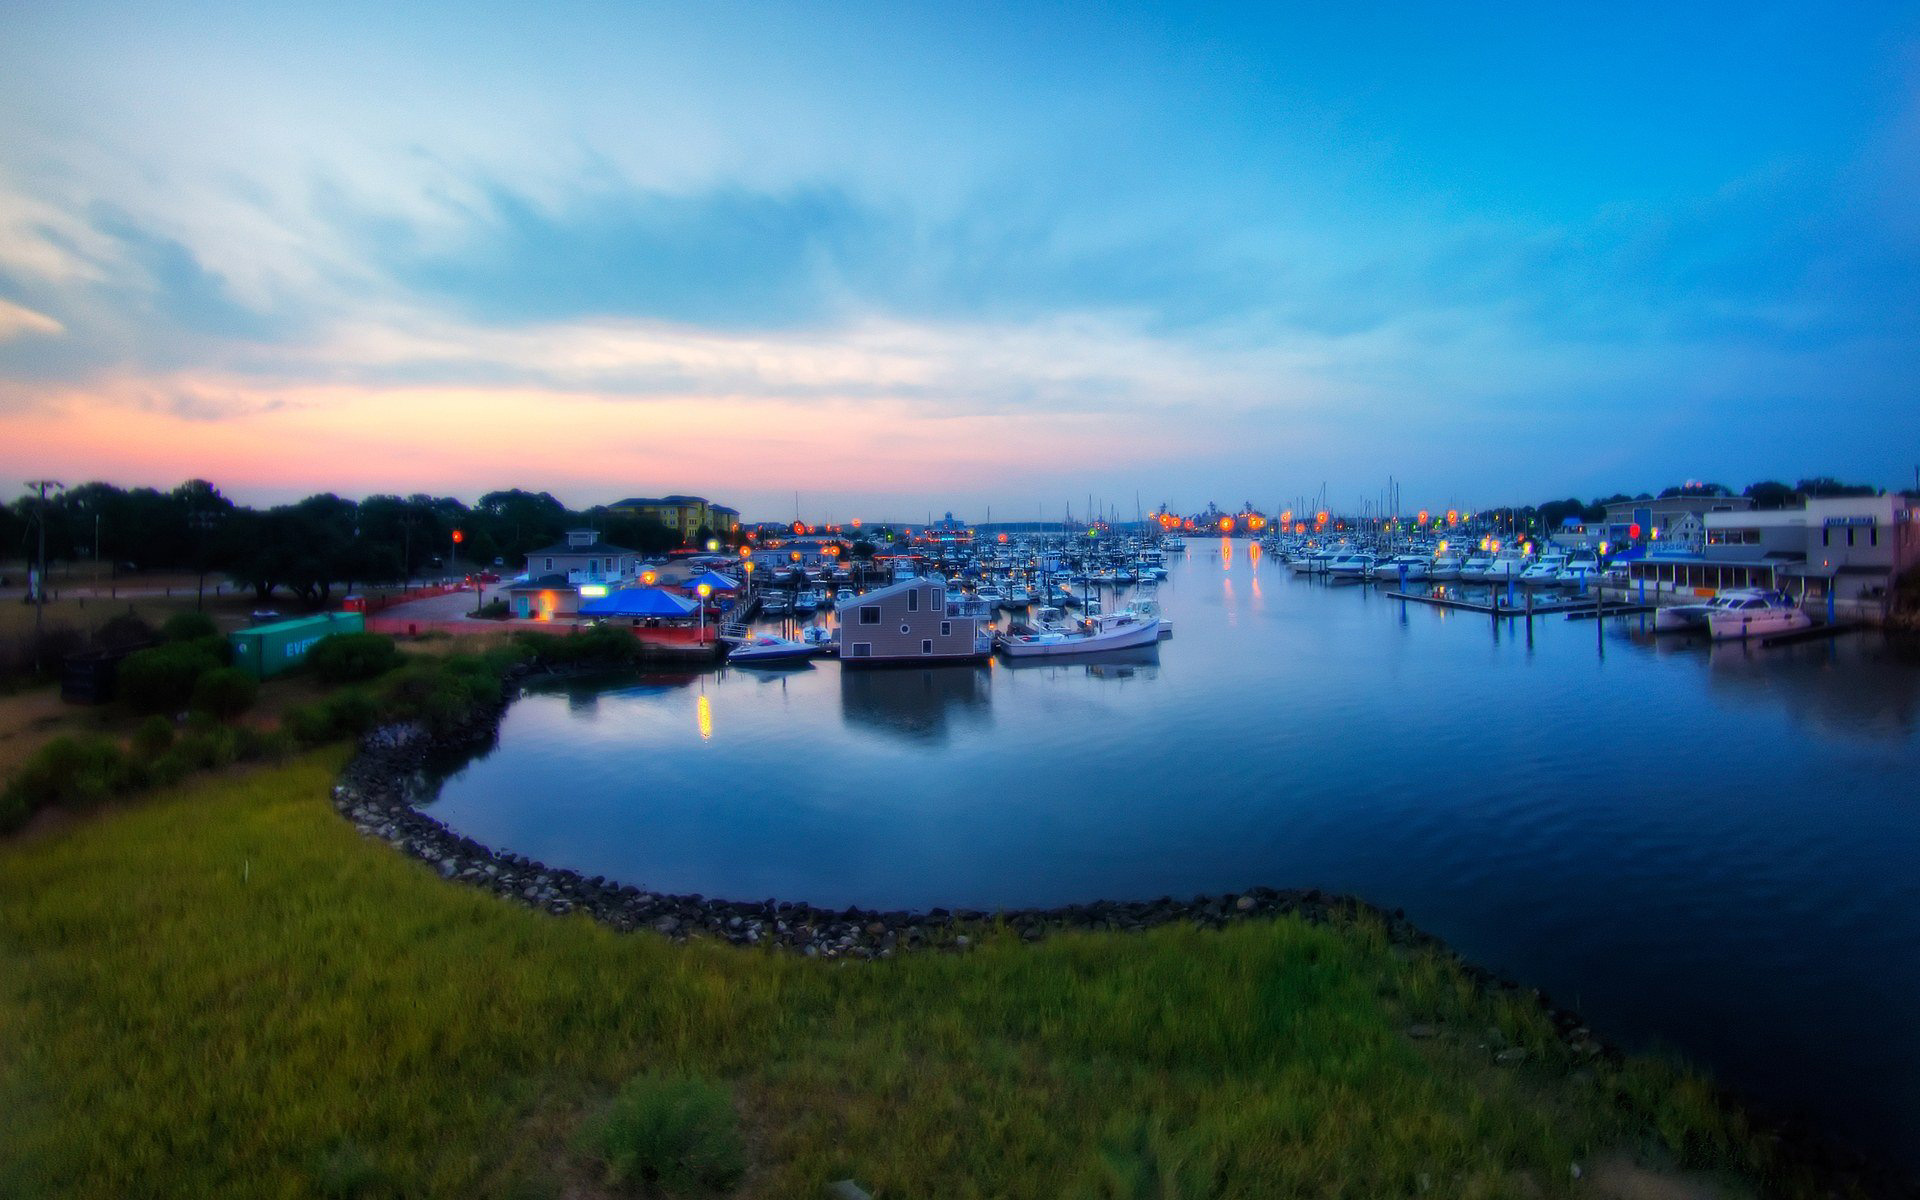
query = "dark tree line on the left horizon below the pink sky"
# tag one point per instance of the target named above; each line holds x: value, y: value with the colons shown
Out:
x: 312, y: 546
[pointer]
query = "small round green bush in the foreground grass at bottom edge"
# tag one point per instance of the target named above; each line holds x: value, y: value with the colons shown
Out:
x: 671, y: 1134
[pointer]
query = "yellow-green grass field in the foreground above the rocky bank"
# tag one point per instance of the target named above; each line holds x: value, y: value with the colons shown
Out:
x: 228, y: 992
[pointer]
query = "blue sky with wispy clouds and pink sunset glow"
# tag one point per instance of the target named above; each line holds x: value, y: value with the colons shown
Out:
x: 890, y: 260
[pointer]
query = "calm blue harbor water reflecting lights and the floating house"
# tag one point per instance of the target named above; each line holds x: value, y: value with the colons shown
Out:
x: 1716, y: 852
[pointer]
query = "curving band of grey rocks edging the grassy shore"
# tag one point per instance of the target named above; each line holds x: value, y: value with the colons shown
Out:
x: 381, y: 786
